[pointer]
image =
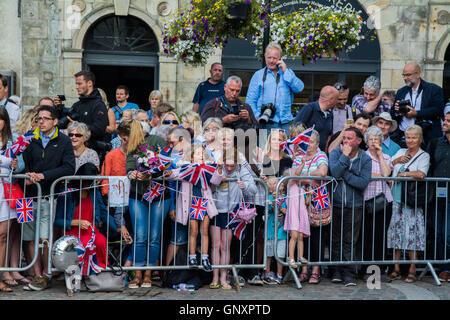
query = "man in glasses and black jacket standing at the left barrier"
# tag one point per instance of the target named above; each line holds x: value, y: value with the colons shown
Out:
x: 48, y: 157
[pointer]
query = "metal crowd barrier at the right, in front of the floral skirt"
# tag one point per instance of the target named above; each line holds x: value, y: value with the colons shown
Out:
x: 363, y: 230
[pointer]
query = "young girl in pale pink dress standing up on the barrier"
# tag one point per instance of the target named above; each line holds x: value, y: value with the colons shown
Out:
x: 297, y: 216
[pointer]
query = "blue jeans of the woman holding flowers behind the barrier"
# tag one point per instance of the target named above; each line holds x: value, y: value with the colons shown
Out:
x: 147, y: 230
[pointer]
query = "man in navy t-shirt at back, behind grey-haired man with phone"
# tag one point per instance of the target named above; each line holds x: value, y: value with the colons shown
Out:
x: 209, y: 89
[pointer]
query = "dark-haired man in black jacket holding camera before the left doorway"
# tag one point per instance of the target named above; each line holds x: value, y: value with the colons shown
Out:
x: 90, y: 110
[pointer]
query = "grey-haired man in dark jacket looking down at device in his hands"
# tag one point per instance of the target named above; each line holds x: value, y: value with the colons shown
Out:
x: 233, y: 113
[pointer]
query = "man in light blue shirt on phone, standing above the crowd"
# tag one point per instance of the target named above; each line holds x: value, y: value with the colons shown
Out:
x: 274, y: 84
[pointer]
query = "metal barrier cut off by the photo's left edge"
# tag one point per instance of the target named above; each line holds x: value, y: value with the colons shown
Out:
x: 11, y: 235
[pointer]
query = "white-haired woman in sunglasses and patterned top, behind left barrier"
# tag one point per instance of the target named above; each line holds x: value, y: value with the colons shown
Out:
x: 79, y: 134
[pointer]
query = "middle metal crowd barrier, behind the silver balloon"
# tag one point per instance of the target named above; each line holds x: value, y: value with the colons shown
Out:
x: 117, y: 248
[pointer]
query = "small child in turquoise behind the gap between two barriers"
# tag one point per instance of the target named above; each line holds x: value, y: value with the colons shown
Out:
x: 280, y: 246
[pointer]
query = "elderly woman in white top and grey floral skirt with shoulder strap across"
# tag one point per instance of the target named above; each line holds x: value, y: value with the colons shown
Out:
x: 407, y: 228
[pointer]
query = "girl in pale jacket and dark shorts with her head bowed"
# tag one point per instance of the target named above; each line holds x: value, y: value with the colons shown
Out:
x: 227, y: 195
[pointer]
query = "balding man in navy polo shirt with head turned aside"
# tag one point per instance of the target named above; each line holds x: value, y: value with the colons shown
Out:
x: 319, y: 114
